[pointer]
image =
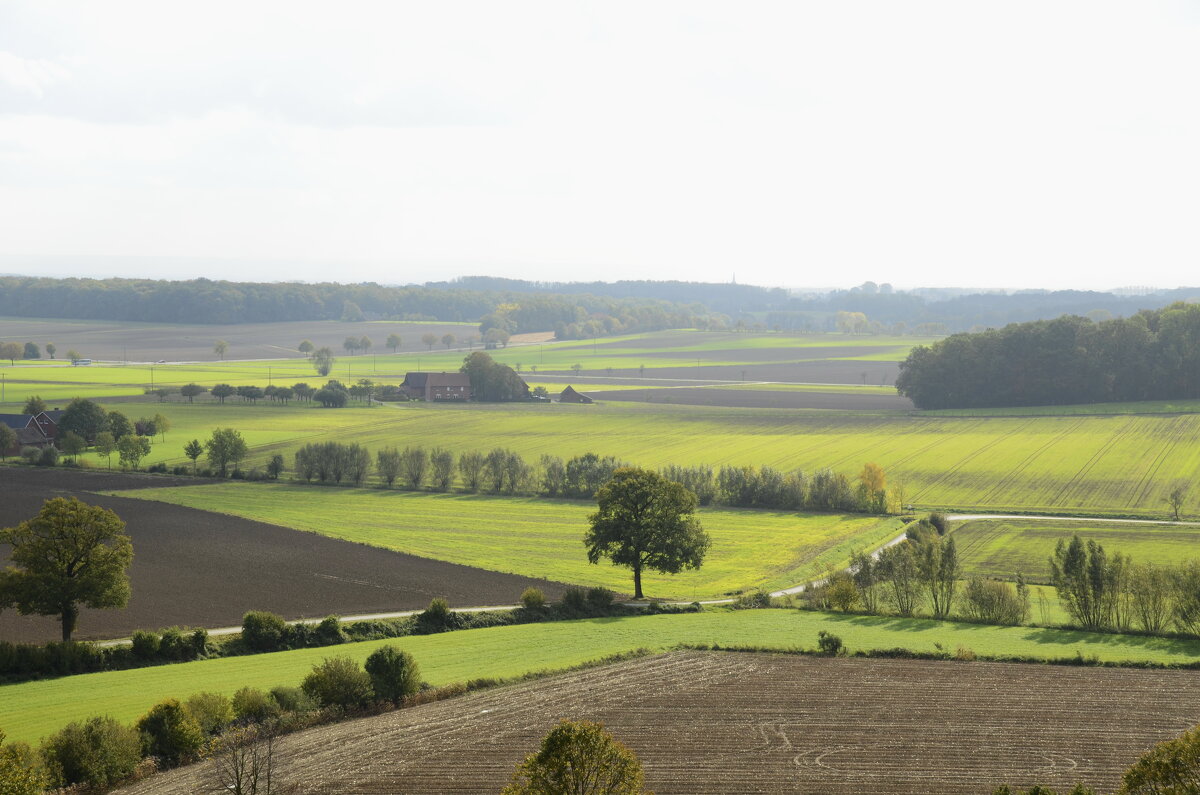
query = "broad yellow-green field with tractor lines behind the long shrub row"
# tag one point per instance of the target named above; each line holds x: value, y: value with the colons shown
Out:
x: 1111, y: 465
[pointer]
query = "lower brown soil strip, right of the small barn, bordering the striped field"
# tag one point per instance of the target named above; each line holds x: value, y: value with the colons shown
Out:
x: 752, y: 399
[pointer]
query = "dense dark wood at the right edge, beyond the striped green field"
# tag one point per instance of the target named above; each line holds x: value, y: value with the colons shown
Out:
x: 1154, y: 355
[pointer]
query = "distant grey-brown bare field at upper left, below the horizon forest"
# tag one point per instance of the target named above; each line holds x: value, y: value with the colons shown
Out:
x: 160, y: 342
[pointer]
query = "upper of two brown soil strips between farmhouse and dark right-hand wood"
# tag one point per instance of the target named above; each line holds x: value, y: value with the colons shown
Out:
x: 819, y: 373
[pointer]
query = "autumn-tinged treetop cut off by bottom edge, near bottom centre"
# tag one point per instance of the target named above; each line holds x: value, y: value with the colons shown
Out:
x: 579, y: 757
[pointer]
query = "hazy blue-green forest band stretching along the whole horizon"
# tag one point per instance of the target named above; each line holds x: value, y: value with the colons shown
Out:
x: 573, y: 310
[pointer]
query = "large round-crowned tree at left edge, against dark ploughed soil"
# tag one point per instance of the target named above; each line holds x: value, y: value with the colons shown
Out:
x: 70, y: 555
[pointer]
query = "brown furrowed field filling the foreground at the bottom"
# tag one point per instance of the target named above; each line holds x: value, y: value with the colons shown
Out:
x: 728, y: 722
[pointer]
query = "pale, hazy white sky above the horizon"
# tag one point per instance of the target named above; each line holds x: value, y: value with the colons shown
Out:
x: 794, y: 144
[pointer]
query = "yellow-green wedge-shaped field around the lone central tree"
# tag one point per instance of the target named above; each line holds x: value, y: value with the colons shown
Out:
x: 544, y: 539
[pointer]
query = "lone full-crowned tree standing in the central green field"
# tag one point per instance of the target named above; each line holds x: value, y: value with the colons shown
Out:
x: 646, y: 522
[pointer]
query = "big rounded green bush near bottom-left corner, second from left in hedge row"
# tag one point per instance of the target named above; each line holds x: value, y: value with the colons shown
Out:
x: 99, y: 754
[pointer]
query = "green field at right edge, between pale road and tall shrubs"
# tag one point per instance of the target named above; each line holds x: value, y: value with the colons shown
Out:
x: 1003, y: 548
